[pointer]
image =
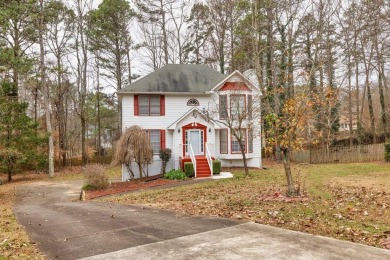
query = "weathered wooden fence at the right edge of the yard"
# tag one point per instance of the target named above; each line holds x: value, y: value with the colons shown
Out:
x: 344, y: 154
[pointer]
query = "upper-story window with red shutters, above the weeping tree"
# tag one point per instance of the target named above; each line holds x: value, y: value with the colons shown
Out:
x: 149, y: 105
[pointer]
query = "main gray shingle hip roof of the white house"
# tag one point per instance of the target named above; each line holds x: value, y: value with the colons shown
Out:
x: 177, y: 78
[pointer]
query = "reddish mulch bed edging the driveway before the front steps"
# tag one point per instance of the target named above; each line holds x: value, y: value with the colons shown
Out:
x: 119, y: 187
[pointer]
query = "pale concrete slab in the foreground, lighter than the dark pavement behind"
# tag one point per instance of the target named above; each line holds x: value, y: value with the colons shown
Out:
x: 249, y: 241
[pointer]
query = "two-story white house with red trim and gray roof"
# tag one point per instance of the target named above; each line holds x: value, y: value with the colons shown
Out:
x: 179, y: 106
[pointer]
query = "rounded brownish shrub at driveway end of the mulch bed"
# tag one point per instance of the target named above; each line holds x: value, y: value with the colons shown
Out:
x: 96, y: 177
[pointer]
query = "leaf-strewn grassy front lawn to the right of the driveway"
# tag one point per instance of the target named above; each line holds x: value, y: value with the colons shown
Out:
x: 345, y: 201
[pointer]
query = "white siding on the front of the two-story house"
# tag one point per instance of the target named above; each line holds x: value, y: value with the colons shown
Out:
x: 175, y: 108
